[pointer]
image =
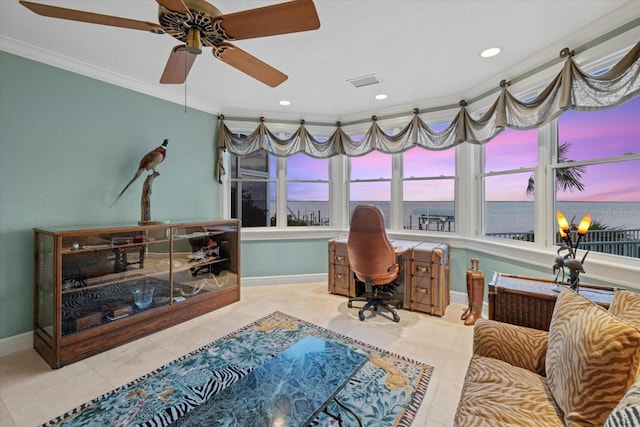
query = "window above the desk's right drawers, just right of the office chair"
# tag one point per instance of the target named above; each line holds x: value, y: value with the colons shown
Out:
x: 428, y: 189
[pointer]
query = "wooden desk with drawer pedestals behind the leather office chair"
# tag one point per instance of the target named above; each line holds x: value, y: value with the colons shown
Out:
x: 424, y: 284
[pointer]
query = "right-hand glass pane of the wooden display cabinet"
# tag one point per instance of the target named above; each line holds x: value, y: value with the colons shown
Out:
x: 204, y: 259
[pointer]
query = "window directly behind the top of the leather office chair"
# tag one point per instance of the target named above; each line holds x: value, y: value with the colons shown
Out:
x: 371, y: 182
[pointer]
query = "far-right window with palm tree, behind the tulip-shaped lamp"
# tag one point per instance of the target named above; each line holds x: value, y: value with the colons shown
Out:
x: 604, y: 152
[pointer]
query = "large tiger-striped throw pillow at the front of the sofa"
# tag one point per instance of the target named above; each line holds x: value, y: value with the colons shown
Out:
x: 589, y: 359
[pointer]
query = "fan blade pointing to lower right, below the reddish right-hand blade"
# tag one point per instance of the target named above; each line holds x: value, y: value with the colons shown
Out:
x: 249, y: 64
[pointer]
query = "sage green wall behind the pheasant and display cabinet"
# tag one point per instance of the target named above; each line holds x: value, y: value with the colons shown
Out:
x: 68, y: 144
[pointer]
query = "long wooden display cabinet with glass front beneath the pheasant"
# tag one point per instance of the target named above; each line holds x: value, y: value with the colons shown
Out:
x: 86, y: 281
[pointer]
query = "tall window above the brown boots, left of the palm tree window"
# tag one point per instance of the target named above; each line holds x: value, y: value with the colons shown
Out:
x: 510, y: 159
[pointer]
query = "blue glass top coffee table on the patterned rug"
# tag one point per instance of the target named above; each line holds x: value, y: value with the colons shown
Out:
x: 291, y: 389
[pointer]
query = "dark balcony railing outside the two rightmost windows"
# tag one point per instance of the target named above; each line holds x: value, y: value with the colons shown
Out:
x: 614, y: 242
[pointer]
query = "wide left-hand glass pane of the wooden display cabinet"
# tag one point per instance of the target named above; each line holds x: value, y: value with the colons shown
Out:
x: 109, y: 276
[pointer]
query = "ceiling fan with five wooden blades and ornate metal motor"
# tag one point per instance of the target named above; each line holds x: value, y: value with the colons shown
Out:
x: 196, y: 23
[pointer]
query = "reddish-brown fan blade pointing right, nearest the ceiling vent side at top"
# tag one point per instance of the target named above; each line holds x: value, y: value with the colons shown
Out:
x: 283, y: 18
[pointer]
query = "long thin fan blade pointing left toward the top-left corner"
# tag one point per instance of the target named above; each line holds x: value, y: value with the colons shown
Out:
x: 92, y: 18
